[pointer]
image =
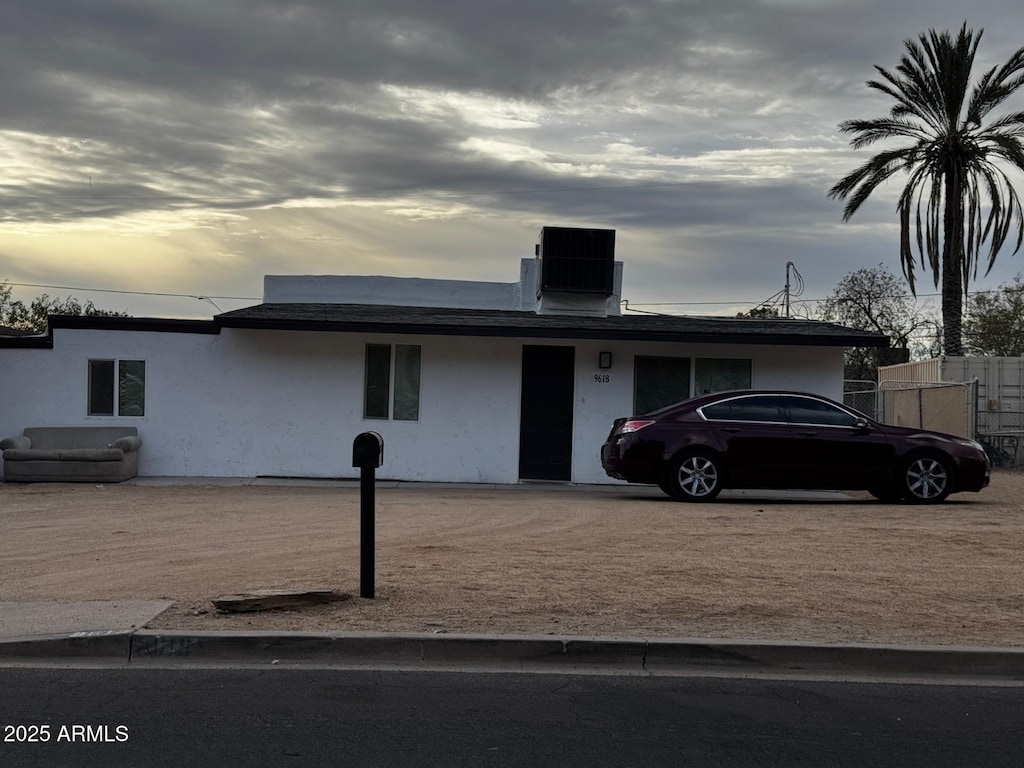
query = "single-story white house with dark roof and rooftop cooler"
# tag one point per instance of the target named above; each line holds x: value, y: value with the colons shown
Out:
x: 465, y: 381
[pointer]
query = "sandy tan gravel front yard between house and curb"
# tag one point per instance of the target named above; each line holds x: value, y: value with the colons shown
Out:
x: 624, y: 563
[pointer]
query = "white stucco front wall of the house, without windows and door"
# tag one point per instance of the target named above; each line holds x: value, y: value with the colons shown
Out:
x: 289, y: 404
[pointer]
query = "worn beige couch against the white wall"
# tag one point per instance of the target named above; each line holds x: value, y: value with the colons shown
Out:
x: 72, y: 455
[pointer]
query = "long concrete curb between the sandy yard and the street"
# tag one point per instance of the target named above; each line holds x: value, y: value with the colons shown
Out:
x: 517, y: 652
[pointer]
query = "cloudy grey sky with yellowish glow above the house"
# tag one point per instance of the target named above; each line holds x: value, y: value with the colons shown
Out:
x: 182, y: 147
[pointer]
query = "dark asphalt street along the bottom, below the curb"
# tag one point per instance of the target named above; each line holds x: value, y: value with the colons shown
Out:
x: 281, y: 716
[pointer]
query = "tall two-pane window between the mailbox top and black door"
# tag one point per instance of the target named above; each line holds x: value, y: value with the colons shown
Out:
x: 393, y: 382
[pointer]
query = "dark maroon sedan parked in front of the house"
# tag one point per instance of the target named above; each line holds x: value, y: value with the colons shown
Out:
x: 775, y: 440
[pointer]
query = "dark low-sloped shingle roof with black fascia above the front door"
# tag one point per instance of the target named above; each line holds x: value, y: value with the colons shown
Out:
x: 558, y: 327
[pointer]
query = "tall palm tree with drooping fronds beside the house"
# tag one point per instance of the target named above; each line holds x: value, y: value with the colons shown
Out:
x: 958, y: 196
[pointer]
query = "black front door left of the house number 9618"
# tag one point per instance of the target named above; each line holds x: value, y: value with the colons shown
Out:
x: 546, y: 413
